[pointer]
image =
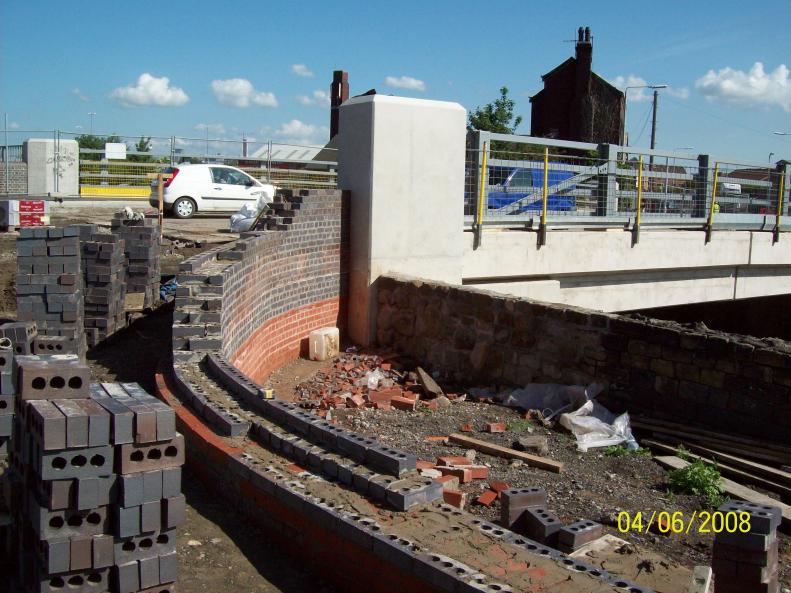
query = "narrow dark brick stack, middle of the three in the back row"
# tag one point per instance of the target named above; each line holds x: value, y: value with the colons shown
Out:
x: 104, y: 266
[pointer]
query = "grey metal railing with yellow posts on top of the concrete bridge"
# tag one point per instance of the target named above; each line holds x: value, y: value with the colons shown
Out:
x: 526, y: 182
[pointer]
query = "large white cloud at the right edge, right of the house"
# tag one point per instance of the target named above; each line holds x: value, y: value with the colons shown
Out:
x: 756, y: 87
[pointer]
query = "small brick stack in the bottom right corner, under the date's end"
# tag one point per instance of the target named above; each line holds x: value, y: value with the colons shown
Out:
x: 745, y: 554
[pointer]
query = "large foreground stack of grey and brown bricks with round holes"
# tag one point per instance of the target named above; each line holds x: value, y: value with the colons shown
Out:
x: 98, y: 470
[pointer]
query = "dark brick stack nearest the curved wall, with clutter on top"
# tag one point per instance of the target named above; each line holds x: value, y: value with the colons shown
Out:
x: 141, y: 239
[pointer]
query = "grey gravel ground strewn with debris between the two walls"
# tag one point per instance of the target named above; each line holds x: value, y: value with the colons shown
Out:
x: 592, y: 486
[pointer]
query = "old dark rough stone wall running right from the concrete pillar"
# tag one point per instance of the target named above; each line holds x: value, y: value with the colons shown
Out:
x: 723, y: 382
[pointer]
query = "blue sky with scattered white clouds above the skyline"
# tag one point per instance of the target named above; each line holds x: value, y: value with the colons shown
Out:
x: 264, y: 68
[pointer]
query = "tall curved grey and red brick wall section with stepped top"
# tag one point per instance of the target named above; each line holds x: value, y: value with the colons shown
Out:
x: 257, y: 300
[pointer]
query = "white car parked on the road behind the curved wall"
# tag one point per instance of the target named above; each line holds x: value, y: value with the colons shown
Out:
x: 208, y: 188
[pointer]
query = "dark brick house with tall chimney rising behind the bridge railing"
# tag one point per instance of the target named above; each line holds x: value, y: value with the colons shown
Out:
x: 576, y: 103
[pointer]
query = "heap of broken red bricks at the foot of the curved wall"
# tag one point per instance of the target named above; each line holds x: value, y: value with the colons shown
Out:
x: 377, y: 381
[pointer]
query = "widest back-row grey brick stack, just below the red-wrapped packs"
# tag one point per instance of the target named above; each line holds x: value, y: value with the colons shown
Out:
x: 49, y: 284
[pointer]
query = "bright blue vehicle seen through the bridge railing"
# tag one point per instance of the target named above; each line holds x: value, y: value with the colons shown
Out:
x: 511, y: 184
